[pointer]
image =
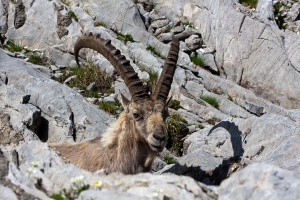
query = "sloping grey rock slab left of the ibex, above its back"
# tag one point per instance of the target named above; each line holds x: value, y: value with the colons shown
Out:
x: 62, y: 113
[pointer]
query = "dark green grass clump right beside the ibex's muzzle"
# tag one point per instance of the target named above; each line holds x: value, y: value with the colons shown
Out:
x: 176, y: 129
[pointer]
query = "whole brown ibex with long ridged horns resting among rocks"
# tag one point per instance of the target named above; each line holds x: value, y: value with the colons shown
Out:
x: 132, y: 142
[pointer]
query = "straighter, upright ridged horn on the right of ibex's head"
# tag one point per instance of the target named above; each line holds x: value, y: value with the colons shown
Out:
x: 164, y: 83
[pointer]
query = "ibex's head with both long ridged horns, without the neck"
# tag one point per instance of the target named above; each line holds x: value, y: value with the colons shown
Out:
x: 146, y: 112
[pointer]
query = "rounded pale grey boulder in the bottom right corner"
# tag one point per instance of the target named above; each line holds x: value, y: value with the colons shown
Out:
x: 261, y: 181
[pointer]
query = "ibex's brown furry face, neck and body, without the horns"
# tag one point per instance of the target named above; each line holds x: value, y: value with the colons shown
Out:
x: 125, y: 146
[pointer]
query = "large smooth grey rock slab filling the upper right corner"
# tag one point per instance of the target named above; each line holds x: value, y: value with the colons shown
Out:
x: 251, y: 53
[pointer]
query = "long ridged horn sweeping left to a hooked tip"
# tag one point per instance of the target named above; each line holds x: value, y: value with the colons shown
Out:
x: 122, y: 65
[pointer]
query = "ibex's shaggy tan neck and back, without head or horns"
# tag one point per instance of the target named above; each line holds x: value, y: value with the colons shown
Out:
x: 120, y: 149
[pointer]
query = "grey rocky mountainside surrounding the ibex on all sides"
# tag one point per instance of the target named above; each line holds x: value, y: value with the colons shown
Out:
x: 243, y: 147
